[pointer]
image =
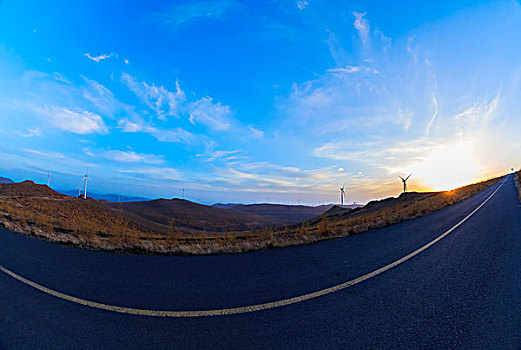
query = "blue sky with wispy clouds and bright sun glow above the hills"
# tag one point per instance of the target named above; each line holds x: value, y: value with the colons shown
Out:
x: 266, y: 101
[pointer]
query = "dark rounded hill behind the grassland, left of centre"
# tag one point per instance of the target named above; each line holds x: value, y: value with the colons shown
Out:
x: 195, y: 216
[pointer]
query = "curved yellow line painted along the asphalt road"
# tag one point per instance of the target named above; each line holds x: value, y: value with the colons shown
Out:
x: 242, y: 309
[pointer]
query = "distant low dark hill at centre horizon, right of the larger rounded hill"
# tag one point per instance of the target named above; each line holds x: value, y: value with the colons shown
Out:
x: 285, y: 214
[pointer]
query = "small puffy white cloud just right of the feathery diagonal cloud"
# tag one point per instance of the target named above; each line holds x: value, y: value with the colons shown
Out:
x: 209, y: 113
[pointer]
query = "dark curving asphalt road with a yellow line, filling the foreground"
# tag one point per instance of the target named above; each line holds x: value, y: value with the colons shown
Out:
x: 462, y: 292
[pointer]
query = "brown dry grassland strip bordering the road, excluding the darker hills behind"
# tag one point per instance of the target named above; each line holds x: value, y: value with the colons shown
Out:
x: 38, y: 211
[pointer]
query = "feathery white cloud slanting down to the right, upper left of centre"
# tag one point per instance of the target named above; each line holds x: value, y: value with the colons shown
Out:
x: 164, y: 102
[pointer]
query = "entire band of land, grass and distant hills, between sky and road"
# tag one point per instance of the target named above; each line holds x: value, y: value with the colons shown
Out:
x: 181, y: 227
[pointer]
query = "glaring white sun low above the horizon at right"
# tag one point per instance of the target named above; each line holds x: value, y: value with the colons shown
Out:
x: 448, y: 167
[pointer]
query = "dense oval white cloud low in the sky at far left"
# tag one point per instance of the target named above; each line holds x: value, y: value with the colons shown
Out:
x: 75, y: 121
